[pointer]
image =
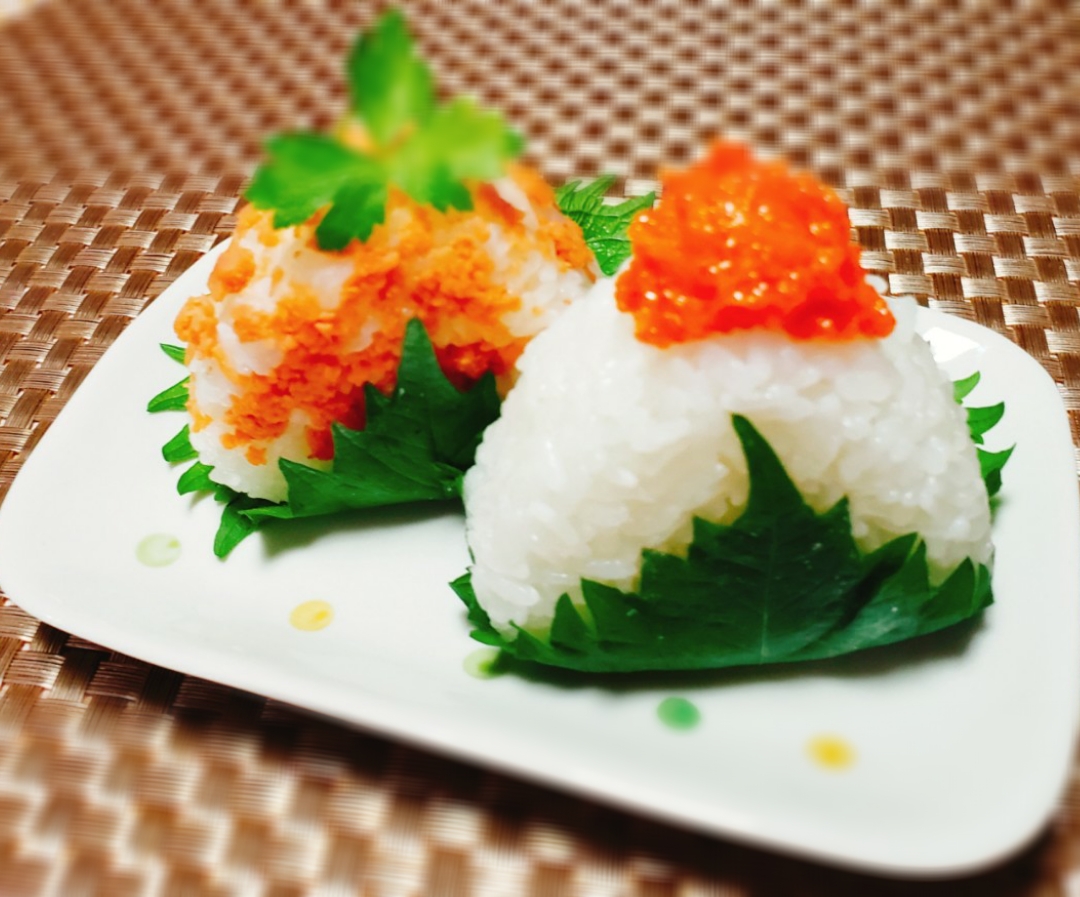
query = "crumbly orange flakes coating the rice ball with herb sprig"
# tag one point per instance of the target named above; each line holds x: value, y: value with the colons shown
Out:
x: 422, y: 263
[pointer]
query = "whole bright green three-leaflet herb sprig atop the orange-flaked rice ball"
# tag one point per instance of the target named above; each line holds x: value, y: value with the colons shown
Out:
x: 426, y: 149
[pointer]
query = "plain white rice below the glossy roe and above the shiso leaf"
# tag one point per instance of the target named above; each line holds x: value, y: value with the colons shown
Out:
x: 610, y: 445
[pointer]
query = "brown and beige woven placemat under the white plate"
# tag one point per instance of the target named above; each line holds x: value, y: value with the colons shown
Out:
x: 127, y: 132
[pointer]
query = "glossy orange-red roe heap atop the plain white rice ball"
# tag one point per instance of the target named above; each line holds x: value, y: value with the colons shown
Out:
x: 739, y: 244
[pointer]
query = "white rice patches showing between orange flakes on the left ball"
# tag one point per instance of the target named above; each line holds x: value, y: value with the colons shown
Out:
x: 546, y: 292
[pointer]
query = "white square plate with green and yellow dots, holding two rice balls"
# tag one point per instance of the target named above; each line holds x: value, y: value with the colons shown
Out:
x: 962, y: 742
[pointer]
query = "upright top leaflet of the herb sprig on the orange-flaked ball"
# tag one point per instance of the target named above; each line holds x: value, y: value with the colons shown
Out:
x: 391, y: 86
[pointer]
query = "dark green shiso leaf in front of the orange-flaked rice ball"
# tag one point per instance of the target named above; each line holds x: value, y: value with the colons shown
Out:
x: 416, y: 446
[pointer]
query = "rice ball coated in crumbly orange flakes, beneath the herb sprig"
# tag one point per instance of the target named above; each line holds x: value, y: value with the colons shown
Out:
x: 290, y: 334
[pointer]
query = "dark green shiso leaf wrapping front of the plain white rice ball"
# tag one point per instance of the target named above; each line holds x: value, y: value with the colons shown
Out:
x: 782, y: 583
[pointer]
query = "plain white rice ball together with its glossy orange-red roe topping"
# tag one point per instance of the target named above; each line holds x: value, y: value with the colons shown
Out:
x: 744, y: 298
